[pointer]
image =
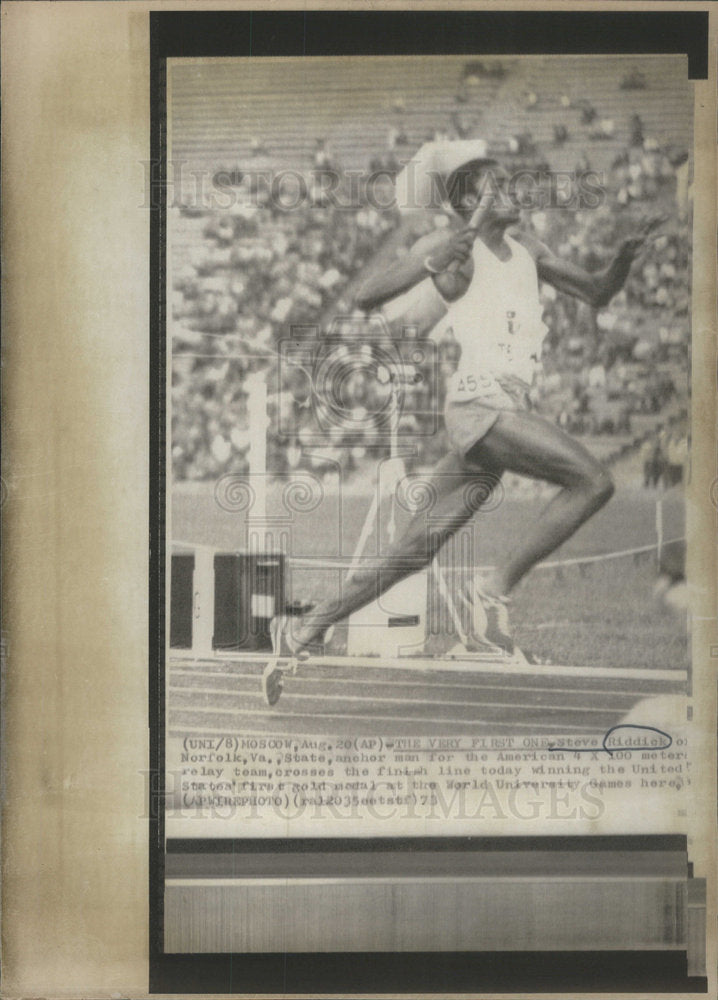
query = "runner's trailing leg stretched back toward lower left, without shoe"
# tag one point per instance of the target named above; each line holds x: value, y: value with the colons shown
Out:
x: 418, y: 544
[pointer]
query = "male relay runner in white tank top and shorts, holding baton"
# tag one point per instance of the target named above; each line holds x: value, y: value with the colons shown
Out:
x: 487, y: 274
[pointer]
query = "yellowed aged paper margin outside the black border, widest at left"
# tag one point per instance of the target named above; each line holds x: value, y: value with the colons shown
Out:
x: 76, y: 128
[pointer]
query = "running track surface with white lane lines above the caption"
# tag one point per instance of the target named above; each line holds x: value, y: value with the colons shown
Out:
x: 221, y: 696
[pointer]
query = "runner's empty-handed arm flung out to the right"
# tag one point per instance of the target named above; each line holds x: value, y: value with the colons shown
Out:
x: 596, y: 288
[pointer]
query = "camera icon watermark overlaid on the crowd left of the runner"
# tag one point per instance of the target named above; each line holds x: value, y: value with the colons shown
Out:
x: 360, y: 384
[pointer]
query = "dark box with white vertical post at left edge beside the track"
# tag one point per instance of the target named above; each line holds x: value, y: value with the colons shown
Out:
x: 224, y: 600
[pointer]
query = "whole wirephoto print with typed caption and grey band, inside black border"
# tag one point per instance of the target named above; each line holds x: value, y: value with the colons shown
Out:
x: 428, y: 424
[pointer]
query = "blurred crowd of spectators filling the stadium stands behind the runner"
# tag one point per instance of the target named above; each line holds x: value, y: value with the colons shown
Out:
x: 280, y: 263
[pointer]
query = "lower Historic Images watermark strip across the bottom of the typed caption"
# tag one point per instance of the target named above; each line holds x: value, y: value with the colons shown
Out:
x: 403, y: 796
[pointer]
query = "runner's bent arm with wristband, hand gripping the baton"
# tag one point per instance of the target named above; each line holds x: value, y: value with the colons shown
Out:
x: 431, y: 255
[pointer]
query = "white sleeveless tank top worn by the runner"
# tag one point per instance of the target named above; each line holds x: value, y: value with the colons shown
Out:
x: 498, y: 321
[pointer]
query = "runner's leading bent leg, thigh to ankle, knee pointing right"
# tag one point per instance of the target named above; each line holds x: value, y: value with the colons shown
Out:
x: 531, y: 446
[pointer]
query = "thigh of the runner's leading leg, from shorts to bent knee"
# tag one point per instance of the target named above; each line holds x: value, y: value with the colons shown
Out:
x: 529, y: 445
